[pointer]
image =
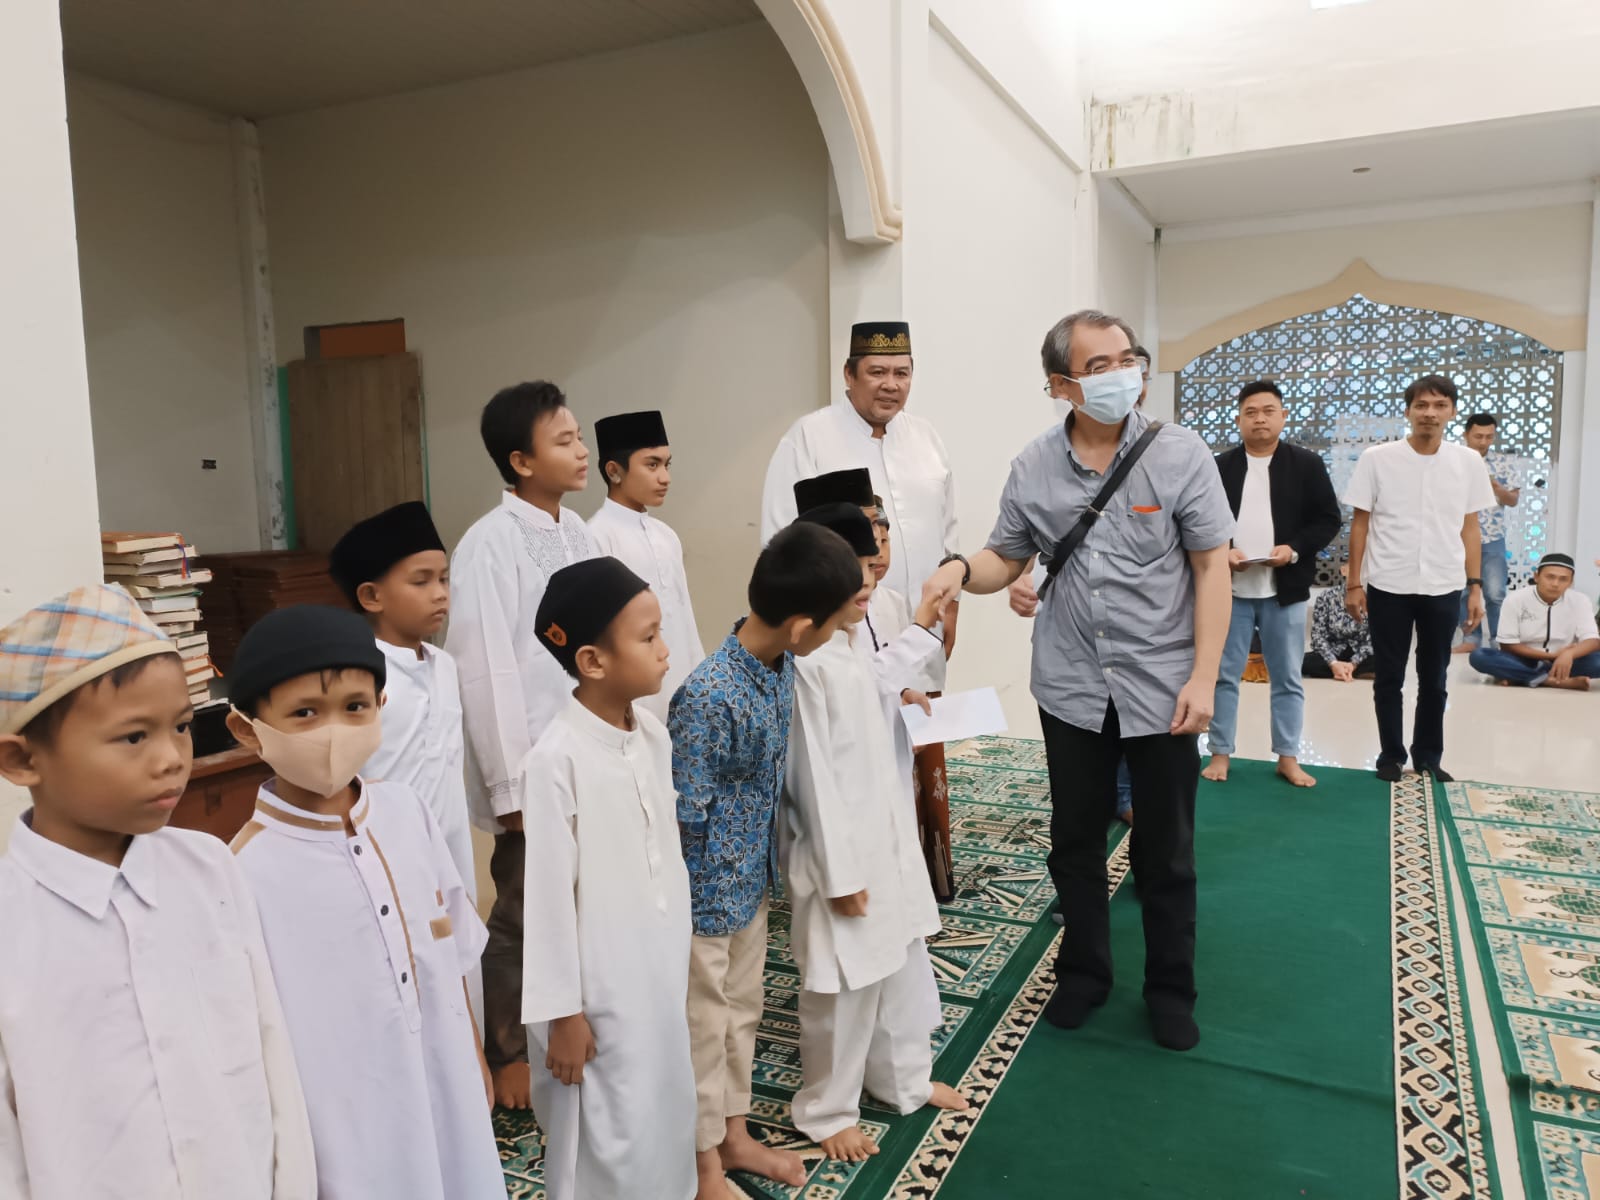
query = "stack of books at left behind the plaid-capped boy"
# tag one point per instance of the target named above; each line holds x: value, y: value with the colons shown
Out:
x: 161, y: 574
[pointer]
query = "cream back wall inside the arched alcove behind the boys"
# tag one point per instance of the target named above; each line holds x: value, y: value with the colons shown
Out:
x: 649, y: 230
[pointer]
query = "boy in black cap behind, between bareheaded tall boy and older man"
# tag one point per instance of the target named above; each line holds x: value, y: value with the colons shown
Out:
x: 638, y: 463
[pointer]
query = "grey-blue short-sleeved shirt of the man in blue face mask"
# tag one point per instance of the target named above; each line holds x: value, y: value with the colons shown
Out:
x: 1119, y: 623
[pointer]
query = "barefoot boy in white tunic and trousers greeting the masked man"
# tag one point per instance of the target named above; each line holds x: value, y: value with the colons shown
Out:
x: 860, y: 894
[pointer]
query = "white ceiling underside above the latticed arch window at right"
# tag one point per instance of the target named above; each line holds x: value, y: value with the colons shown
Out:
x: 1438, y: 164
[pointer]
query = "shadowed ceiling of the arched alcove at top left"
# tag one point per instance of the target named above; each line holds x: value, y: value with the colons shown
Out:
x: 262, y: 58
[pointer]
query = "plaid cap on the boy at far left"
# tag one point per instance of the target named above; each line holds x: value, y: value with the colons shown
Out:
x: 66, y: 642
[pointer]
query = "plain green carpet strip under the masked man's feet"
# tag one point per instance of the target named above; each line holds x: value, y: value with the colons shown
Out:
x: 1292, y: 1090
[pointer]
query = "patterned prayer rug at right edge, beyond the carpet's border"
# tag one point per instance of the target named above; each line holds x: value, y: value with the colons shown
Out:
x: 1529, y: 862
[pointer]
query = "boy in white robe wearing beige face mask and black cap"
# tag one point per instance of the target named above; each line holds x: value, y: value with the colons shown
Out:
x: 367, y: 922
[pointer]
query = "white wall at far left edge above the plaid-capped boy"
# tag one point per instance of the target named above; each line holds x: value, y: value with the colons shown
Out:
x: 50, y: 537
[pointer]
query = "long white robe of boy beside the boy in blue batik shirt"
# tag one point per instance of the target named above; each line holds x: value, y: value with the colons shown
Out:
x: 607, y: 935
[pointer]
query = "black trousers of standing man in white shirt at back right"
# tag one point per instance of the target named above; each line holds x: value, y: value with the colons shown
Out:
x: 1393, y: 620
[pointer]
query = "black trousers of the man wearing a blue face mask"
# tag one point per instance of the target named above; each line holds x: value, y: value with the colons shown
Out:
x: 1084, y: 798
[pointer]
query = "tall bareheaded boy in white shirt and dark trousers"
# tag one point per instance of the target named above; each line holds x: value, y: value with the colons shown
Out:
x: 510, y: 689
